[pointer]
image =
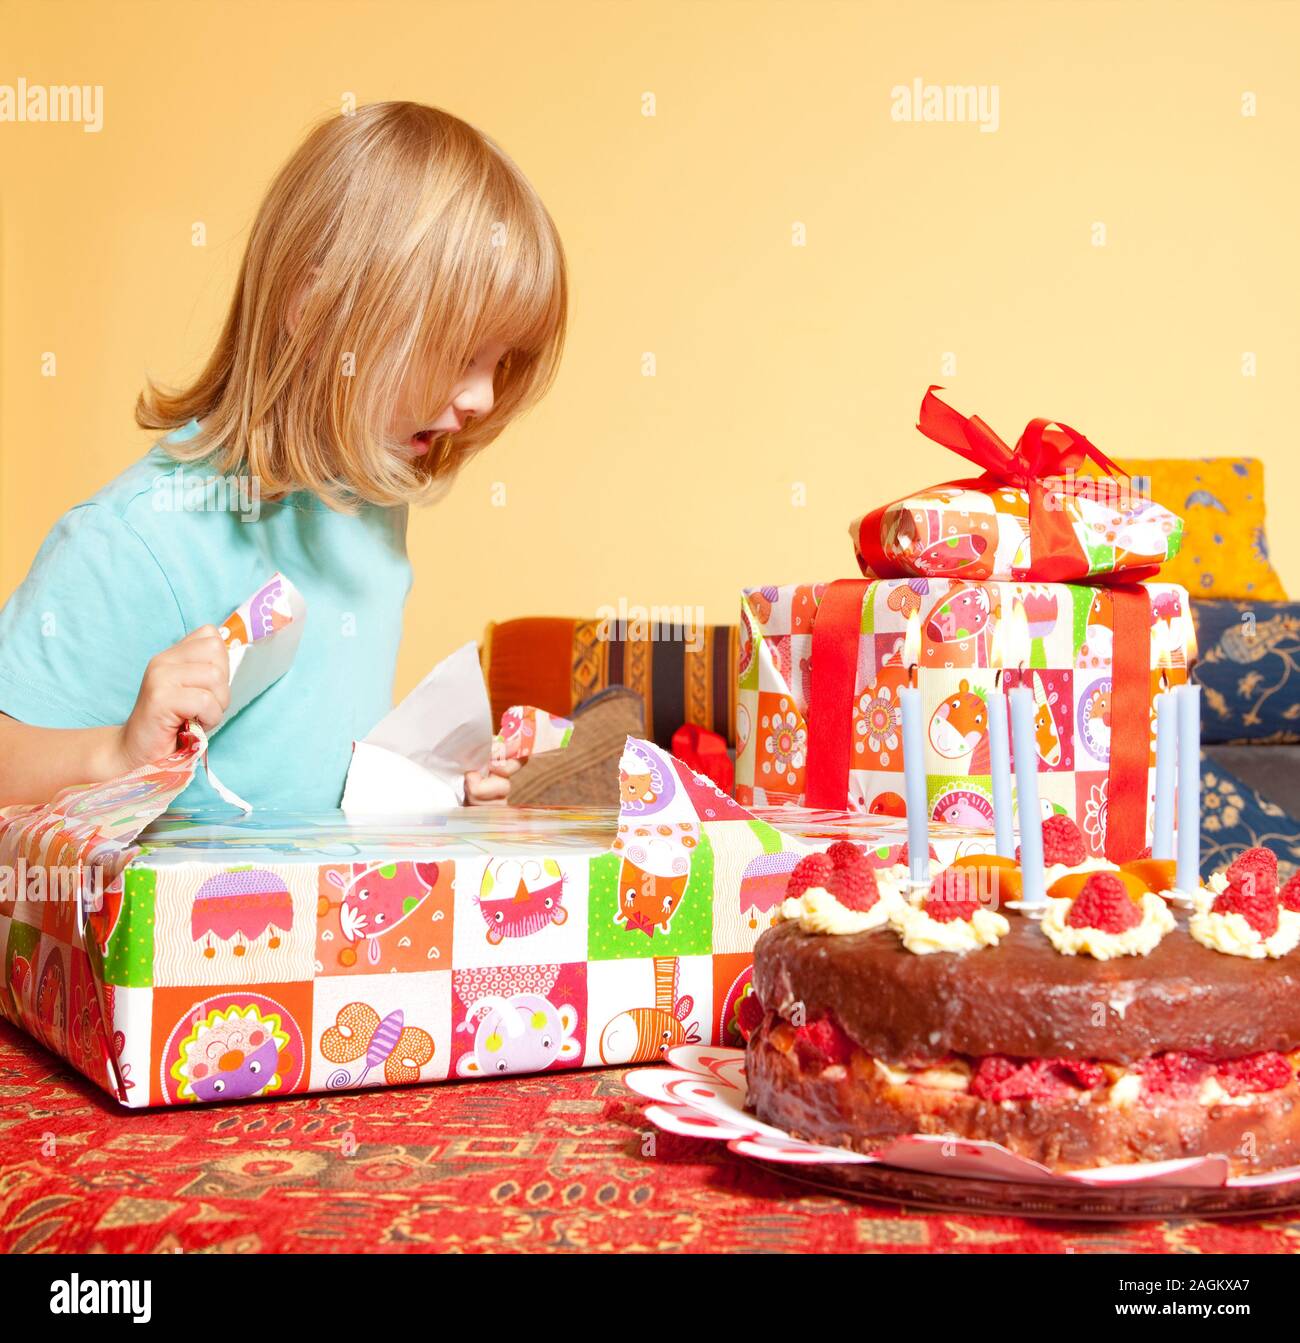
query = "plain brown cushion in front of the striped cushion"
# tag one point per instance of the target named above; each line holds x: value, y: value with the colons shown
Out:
x: 585, y: 774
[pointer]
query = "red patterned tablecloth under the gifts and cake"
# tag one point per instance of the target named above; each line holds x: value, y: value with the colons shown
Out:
x: 555, y: 1162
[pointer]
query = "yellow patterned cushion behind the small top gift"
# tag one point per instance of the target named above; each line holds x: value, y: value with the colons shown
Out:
x: 1221, y: 503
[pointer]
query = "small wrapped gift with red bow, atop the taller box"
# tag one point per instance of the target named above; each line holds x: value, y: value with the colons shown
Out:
x: 1054, y: 508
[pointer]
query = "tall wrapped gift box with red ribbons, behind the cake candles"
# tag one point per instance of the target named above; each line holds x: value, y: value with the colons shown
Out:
x: 1098, y: 659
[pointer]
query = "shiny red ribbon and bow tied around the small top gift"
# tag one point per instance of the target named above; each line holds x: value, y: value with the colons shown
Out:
x: 1047, y: 451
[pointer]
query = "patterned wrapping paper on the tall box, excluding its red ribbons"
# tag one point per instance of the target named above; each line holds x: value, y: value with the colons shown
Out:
x: 1070, y: 669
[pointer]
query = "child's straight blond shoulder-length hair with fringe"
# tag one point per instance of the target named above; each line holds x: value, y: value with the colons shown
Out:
x: 406, y: 240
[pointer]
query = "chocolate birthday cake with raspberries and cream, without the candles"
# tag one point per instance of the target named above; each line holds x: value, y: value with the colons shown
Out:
x: 1118, y: 1023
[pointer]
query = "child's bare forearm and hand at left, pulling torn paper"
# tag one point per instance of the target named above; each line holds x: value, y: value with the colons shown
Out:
x: 187, y: 682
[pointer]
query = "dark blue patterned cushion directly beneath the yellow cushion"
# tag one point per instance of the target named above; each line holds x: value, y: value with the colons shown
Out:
x: 1250, y: 671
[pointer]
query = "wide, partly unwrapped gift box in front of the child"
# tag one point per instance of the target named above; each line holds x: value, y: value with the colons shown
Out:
x: 275, y: 956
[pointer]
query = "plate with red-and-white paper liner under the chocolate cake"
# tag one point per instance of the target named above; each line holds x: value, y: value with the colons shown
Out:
x: 702, y: 1094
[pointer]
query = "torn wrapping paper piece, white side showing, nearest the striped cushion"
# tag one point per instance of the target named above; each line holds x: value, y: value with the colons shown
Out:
x: 416, y: 761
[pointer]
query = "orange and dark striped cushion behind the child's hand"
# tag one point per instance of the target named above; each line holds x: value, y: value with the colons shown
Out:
x: 557, y: 664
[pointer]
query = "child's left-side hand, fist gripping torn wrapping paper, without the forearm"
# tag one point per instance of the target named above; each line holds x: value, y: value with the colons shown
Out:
x: 187, y: 682
